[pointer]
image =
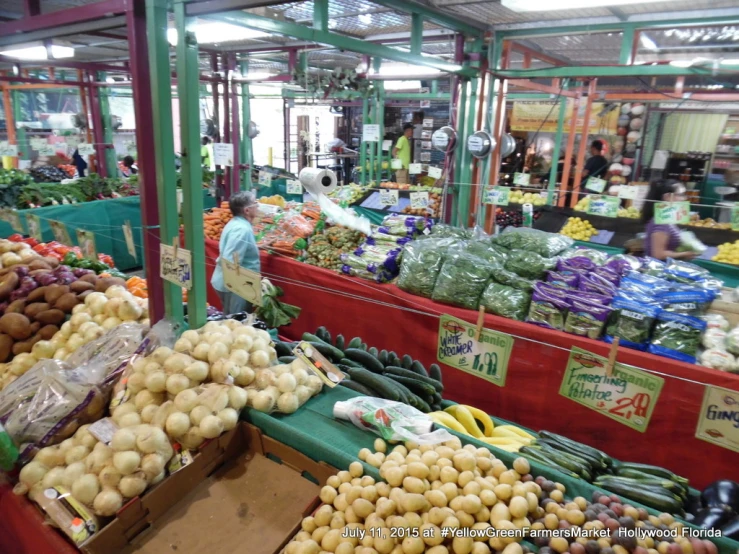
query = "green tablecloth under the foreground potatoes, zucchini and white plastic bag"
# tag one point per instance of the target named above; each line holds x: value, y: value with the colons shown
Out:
x: 315, y: 432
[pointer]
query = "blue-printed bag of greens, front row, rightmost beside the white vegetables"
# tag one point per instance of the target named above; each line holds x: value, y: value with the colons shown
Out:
x: 677, y: 336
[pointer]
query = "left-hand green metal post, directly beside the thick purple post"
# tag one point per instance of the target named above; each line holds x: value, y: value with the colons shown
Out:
x: 163, y: 129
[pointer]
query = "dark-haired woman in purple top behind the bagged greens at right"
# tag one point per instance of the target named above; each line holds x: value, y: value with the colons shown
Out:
x: 662, y: 241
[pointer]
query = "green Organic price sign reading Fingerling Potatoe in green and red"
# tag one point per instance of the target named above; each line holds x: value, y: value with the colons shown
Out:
x: 627, y: 396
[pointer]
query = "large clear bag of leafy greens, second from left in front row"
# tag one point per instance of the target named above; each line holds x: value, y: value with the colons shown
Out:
x: 462, y: 280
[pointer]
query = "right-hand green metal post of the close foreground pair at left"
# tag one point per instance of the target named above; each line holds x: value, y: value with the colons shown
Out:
x: 192, y: 187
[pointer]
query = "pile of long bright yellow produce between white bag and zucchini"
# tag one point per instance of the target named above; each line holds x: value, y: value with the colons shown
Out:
x: 476, y: 423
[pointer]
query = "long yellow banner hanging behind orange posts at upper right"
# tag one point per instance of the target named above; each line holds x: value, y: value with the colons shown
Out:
x: 543, y: 117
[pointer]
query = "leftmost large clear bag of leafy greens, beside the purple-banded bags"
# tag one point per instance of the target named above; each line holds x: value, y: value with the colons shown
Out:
x: 422, y: 261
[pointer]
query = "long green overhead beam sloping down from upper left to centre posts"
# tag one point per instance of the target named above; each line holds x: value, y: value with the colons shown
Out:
x: 341, y: 42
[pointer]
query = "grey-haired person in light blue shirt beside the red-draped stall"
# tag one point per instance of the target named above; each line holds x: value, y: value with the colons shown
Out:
x: 237, y: 238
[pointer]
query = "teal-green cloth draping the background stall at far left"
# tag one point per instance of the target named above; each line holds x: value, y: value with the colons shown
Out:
x: 105, y: 218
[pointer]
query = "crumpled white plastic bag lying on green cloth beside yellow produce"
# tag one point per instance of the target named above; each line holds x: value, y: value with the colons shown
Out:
x: 393, y: 421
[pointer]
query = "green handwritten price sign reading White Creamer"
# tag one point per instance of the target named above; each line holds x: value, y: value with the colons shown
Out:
x: 486, y: 358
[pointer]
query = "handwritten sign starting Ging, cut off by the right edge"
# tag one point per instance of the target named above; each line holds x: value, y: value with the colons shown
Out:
x: 718, y: 418
